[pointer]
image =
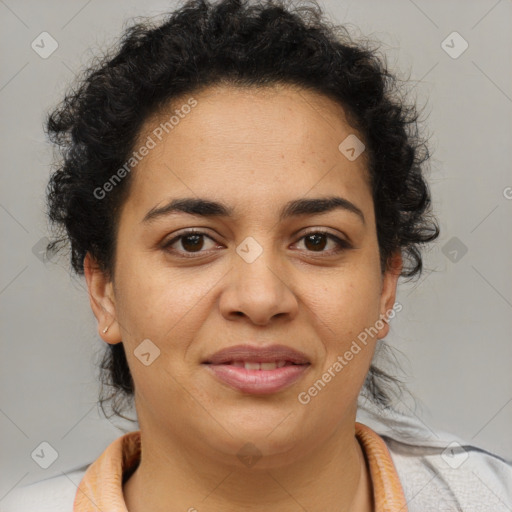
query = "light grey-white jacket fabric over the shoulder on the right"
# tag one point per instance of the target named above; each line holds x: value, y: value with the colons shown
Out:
x: 440, y: 471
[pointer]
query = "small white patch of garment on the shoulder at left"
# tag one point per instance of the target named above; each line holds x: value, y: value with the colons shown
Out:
x: 55, y: 494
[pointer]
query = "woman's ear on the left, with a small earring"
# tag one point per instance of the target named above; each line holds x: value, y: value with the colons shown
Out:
x: 101, y: 297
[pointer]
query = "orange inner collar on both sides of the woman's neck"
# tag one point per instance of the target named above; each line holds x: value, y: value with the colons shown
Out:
x: 101, y: 488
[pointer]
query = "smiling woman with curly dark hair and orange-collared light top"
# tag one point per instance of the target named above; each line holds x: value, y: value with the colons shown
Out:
x: 242, y: 188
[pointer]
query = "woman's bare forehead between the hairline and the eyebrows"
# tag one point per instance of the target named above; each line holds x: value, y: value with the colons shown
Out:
x: 247, y: 144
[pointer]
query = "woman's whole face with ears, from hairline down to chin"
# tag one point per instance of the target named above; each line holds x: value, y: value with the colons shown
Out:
x: 257, y: 277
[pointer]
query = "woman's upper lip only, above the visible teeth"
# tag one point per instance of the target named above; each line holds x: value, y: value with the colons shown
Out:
x: 258, y: 354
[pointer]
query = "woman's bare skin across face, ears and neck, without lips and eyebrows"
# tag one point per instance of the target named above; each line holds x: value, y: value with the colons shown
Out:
x: 255, y: 150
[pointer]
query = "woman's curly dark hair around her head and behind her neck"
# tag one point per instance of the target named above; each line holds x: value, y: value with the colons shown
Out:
x: 245, y: 44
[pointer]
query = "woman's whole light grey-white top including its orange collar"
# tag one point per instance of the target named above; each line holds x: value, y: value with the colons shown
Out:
x: 403, y: 454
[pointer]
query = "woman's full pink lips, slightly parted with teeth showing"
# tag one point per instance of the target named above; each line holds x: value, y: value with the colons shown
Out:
x: 258, y: 370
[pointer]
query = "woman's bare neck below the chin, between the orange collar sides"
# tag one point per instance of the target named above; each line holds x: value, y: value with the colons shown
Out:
x: 332, y: 477
